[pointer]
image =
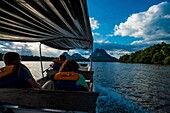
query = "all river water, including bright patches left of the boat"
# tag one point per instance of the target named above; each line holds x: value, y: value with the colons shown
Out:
x: 126, y: 88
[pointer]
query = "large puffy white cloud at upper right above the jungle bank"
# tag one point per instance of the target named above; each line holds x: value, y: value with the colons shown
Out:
x: 152, y: 25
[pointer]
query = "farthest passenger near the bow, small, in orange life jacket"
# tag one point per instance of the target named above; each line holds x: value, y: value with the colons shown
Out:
x: 58, y: 62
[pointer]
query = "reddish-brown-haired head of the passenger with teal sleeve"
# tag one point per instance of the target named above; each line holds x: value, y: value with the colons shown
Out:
x: 69, y: 65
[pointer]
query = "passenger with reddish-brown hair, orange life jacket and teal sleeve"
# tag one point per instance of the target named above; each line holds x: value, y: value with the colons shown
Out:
x: 68, y: 79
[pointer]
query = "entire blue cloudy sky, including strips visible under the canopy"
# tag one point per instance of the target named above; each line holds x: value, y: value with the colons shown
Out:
x: 118, y: 26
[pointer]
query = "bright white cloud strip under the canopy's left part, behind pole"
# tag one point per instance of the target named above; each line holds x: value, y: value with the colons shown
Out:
x: 29, y: 49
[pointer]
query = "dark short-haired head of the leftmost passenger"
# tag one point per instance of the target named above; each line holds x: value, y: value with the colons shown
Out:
x: 11, y: 58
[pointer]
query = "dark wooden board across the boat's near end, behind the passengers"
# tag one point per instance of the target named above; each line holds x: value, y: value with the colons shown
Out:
x: 49, y: 99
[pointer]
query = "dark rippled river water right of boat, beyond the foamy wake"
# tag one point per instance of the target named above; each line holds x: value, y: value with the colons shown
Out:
x: 146, y: 84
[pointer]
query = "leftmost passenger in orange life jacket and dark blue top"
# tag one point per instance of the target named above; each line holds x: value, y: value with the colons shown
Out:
x: 15, y: 74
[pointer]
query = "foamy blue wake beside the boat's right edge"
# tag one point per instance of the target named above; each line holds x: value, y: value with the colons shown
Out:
x: 110, y: 101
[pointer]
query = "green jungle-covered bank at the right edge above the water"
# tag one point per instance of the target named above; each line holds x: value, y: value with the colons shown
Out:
x: 156, y: 54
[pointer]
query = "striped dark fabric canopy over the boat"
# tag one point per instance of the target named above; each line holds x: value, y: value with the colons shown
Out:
x: 61, y: 24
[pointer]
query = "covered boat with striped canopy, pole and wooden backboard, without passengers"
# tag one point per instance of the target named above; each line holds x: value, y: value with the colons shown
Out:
x: 60, y: 24
